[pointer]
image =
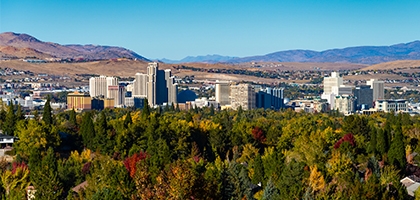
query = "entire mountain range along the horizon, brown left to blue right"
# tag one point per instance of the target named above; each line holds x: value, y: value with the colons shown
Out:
x: 15, y: 45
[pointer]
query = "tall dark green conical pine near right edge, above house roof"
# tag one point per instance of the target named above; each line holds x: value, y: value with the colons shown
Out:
x: 396, y: 152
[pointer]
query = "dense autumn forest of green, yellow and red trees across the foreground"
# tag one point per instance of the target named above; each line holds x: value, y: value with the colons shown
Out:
x: 203, y: 153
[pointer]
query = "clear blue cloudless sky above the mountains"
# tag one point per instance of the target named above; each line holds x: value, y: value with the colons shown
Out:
x: 176, y: 29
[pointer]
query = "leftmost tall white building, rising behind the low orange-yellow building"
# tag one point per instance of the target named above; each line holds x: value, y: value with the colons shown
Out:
x: 98, y: 86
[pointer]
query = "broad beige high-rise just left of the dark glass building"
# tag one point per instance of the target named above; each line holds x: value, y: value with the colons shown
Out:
x: 242, y: 95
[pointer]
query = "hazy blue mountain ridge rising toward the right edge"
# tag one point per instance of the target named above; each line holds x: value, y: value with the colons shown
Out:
x: 361, y: 54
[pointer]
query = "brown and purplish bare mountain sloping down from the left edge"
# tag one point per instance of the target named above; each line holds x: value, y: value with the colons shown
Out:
x: 16, y: 44
